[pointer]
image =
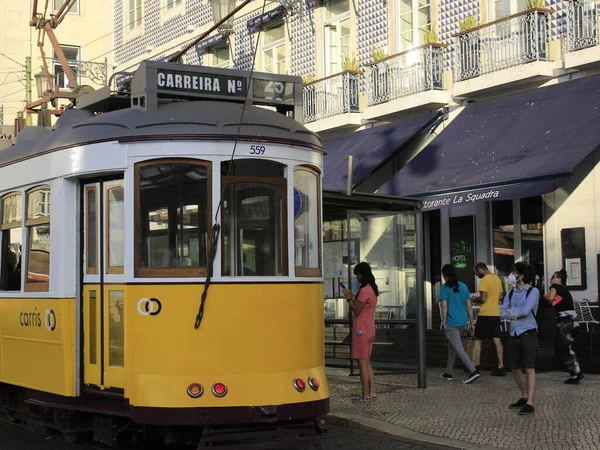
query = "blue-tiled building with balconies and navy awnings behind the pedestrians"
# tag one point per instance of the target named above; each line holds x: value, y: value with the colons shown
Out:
x: 434, y: 99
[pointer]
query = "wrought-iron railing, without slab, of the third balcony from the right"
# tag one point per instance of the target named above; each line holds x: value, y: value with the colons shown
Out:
x: 416, y: 70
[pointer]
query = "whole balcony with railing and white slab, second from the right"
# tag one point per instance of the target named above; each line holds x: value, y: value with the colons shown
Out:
x: 520, y: 43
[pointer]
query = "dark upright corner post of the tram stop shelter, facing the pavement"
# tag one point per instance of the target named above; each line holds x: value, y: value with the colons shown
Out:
x: 421, y: 310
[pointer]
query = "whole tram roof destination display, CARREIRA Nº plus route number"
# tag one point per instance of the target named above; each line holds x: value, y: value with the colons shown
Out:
x: 217, y: 84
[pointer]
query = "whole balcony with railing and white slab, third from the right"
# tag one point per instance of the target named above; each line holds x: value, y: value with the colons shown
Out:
x: 407, y: 81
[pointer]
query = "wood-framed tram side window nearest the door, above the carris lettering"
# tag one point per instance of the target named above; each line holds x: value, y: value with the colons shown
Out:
x: 38, y: 239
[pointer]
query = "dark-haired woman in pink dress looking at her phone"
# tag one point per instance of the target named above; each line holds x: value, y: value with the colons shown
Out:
x: 363, y: 333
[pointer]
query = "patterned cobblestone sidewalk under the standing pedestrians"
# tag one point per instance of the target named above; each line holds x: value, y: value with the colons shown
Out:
x: 566, y: 417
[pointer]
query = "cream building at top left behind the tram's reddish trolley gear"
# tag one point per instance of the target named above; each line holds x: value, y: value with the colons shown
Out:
x: 85, y: 36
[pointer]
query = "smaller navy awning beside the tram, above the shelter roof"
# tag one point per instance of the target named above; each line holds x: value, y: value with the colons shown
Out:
x: 369, y: 148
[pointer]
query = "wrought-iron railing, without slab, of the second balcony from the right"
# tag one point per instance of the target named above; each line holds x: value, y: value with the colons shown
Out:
x: 508, y: 42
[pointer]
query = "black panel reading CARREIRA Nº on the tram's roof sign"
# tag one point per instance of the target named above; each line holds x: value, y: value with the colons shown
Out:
x: 196, y: 83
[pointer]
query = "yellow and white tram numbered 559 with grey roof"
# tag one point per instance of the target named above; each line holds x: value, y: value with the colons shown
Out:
x: 112, y: 224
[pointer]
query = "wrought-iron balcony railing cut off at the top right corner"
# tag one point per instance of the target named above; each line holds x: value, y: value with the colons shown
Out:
x: 582, y: 30
